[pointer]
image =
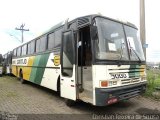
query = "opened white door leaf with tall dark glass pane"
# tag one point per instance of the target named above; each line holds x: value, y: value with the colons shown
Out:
x: 68, y: 66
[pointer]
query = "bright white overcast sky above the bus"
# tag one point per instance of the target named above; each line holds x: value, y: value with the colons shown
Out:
x: 40, y: 15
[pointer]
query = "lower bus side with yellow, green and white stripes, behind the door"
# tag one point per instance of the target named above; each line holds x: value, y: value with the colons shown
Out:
x: 40, y: 69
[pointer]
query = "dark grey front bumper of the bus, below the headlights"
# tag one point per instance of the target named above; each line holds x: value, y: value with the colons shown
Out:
x: 103, y: 95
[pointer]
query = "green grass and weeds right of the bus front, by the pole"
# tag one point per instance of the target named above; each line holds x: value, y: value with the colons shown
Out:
x: 153, y: 78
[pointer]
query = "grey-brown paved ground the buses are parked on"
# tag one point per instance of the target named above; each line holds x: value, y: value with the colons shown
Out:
x: 30, y: 99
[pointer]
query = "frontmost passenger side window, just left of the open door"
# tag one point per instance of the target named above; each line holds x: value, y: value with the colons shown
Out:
x: 58, y: 37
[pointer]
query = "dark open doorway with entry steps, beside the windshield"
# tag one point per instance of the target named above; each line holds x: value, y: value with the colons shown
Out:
x: 85, y: 65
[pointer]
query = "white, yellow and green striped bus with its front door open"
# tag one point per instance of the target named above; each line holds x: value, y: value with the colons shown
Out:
x: 95, y: 59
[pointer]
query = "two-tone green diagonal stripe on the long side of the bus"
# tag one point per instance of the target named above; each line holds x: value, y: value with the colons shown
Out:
x: 37, y: 72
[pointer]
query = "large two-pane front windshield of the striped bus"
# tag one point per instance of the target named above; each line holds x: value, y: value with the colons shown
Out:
x: 112, y: 44
